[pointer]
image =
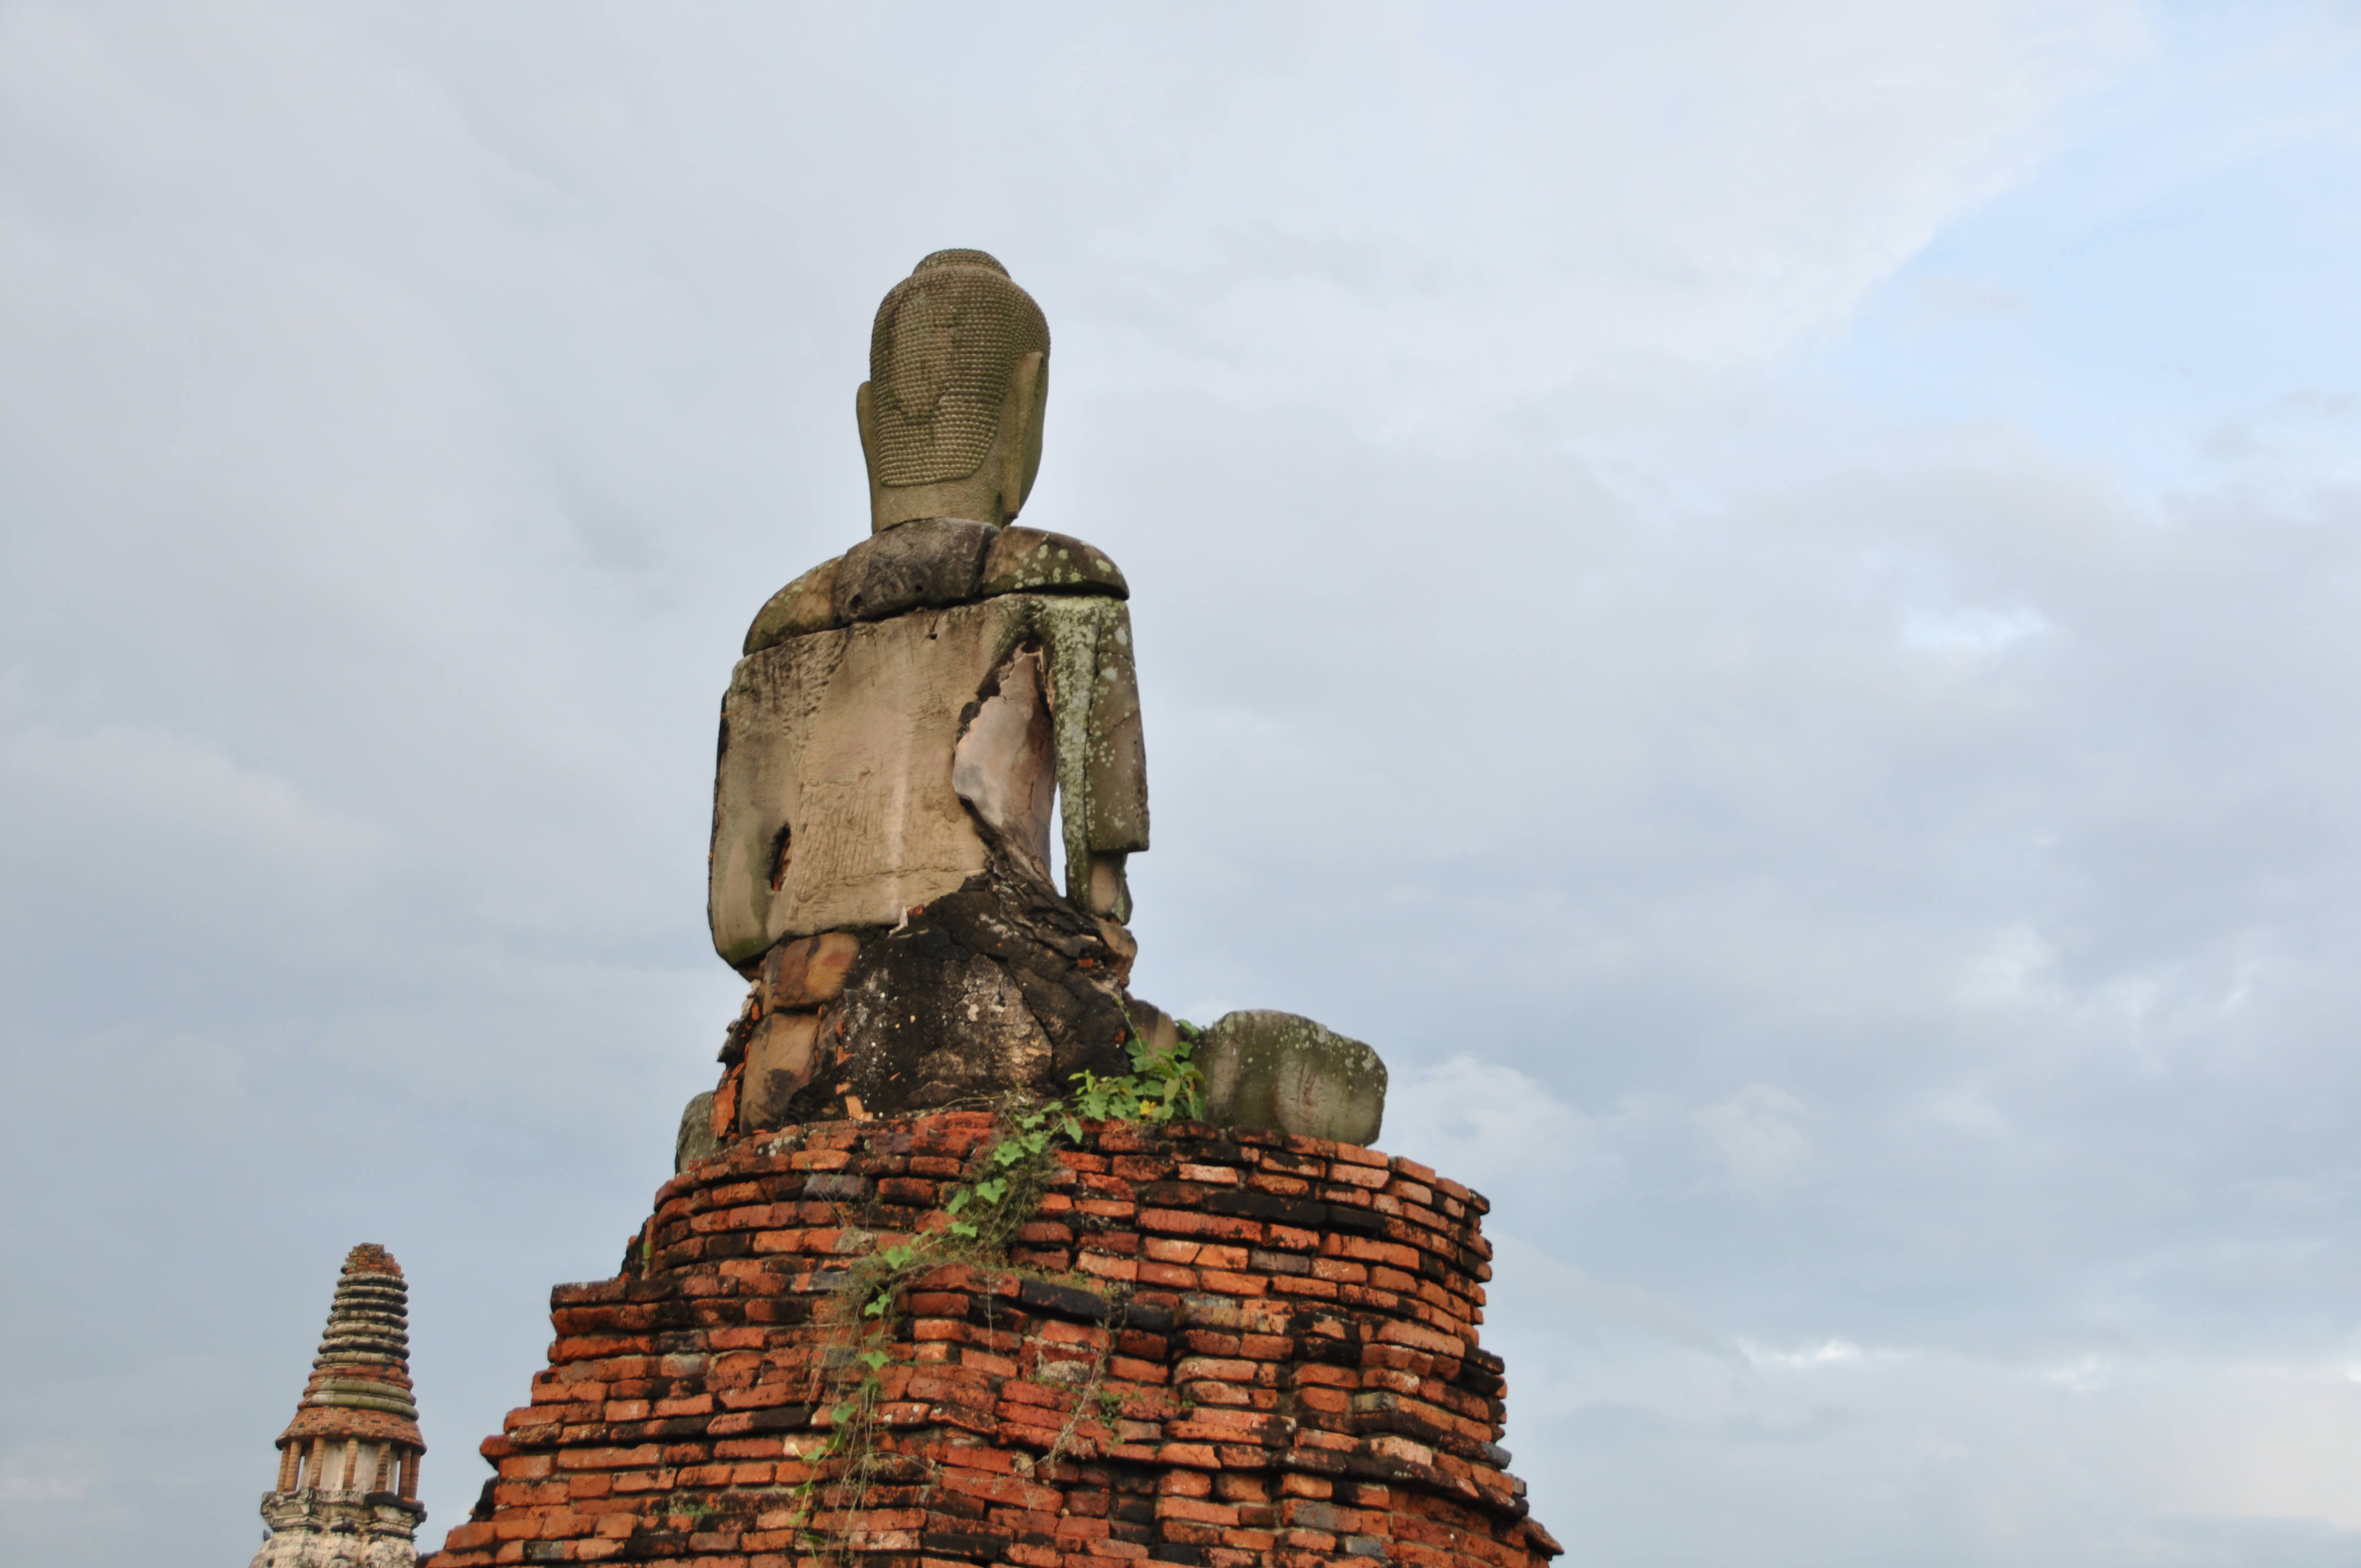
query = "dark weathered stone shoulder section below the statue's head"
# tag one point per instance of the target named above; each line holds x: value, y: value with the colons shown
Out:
x: 931, y: 563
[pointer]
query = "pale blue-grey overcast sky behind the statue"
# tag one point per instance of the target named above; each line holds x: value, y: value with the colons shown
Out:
x: 1765, y: 596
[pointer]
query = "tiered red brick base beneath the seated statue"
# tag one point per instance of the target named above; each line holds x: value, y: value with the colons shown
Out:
x: 1212, y: 1347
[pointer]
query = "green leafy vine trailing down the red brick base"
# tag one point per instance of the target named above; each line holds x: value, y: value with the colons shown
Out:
x: 986, y: 1217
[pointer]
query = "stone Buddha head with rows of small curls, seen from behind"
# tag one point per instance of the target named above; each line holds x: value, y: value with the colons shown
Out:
x: 957, y: 384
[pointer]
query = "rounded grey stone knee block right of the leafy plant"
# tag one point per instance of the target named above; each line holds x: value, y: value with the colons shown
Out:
x: 1293, y: 1076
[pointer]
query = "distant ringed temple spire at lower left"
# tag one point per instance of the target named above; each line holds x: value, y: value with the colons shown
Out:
x: 348, y: 1463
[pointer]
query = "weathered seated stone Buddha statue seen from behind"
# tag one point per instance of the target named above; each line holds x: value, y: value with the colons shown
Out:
x: 908, y: 729
